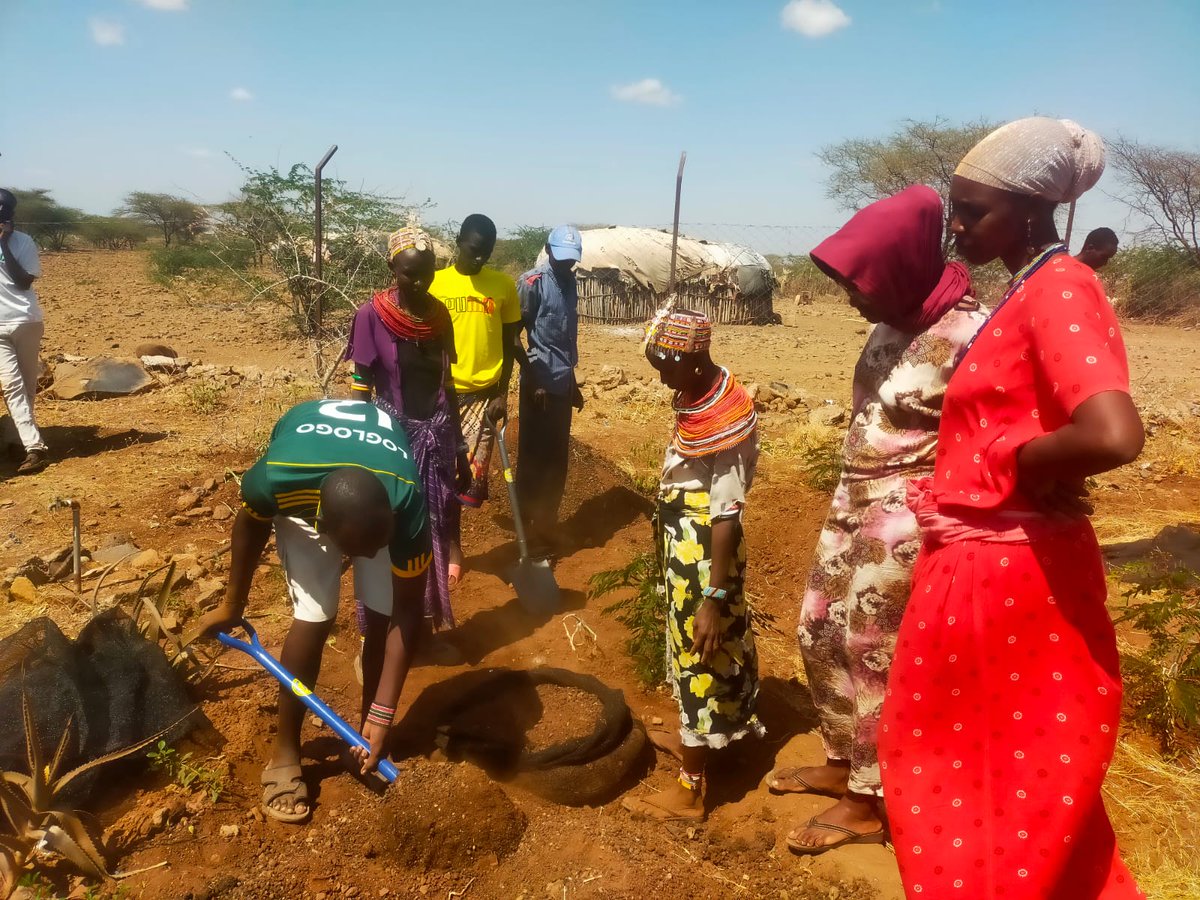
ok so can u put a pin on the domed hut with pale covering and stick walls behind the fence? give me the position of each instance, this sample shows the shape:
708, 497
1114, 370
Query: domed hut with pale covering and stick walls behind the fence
625, 273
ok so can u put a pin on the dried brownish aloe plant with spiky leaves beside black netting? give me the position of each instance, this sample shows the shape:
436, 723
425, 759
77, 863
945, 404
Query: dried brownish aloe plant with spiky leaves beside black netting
35, 821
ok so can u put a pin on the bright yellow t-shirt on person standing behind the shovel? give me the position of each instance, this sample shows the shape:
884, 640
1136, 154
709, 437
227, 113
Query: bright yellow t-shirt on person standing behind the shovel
481, 307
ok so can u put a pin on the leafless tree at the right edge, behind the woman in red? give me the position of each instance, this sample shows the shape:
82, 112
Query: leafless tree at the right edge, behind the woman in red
1163, 187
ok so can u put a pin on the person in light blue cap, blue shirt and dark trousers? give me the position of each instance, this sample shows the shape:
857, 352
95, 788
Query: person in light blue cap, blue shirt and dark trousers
549, 392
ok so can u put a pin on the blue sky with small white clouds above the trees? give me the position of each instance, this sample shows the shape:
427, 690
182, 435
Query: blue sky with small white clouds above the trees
541, 112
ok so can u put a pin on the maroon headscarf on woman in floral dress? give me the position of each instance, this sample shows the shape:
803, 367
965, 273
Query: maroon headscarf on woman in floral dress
892, 253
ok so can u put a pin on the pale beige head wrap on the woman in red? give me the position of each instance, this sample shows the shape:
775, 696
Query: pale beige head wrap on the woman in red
1055, 159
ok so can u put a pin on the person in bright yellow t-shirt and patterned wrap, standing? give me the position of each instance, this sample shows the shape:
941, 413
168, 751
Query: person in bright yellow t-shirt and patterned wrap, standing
487, 317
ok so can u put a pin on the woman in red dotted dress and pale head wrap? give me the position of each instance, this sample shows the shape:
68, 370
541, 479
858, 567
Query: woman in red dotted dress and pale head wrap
1005, 695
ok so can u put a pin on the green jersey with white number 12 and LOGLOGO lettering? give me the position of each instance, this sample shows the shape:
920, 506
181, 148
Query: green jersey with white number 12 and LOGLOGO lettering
314, 440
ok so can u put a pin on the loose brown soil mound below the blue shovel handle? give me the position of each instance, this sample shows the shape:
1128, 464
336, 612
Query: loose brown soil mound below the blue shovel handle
435, 817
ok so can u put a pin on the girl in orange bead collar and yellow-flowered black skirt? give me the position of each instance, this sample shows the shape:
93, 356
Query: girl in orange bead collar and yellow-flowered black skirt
712, 661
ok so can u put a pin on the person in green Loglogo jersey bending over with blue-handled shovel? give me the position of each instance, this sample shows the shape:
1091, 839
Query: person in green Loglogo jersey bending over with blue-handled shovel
338, 481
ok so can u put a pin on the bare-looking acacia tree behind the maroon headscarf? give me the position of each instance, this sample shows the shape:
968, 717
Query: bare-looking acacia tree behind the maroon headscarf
919, 153
